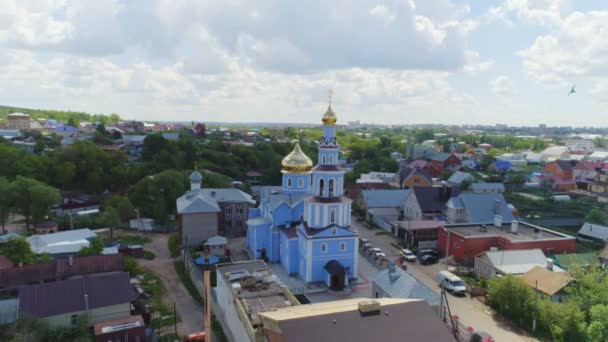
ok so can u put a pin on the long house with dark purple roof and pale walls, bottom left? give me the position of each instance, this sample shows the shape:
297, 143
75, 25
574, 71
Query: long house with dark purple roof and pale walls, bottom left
98, 297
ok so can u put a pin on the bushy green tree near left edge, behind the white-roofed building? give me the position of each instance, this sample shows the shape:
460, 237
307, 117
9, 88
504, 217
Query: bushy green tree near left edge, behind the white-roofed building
33, 199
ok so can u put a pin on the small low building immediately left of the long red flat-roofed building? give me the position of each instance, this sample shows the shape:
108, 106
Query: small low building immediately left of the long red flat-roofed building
421, 234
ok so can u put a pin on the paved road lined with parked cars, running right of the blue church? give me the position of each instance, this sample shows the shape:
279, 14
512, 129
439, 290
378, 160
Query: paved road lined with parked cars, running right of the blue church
471, 312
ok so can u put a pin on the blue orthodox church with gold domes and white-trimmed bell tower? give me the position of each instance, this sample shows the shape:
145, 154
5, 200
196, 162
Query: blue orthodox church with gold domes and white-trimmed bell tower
305, 224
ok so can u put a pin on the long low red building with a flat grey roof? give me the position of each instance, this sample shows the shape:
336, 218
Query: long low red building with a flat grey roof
464, 241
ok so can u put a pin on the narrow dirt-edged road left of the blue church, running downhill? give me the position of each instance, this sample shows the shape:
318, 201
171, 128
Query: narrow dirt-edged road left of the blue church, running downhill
190, 312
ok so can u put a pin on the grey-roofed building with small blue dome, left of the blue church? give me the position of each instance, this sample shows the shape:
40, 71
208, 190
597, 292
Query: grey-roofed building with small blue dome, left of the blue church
203, 213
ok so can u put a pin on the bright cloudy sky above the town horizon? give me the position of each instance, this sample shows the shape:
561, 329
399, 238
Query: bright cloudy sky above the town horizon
391, 61
